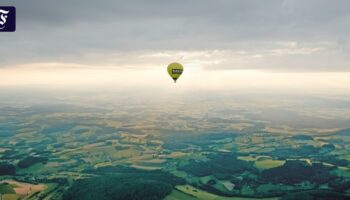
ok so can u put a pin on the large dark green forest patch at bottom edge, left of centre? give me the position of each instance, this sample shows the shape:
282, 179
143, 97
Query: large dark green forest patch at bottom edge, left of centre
120, 183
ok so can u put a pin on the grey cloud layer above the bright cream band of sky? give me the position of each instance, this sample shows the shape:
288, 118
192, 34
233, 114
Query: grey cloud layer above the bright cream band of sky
67, 30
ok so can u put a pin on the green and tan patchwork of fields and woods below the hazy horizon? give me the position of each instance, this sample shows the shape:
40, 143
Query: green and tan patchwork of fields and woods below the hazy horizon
78, 151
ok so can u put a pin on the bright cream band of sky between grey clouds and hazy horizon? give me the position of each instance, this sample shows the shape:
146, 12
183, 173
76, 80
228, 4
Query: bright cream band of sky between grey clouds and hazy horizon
153, 75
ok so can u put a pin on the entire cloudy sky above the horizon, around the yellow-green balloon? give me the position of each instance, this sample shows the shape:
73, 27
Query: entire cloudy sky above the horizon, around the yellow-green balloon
222, 43
